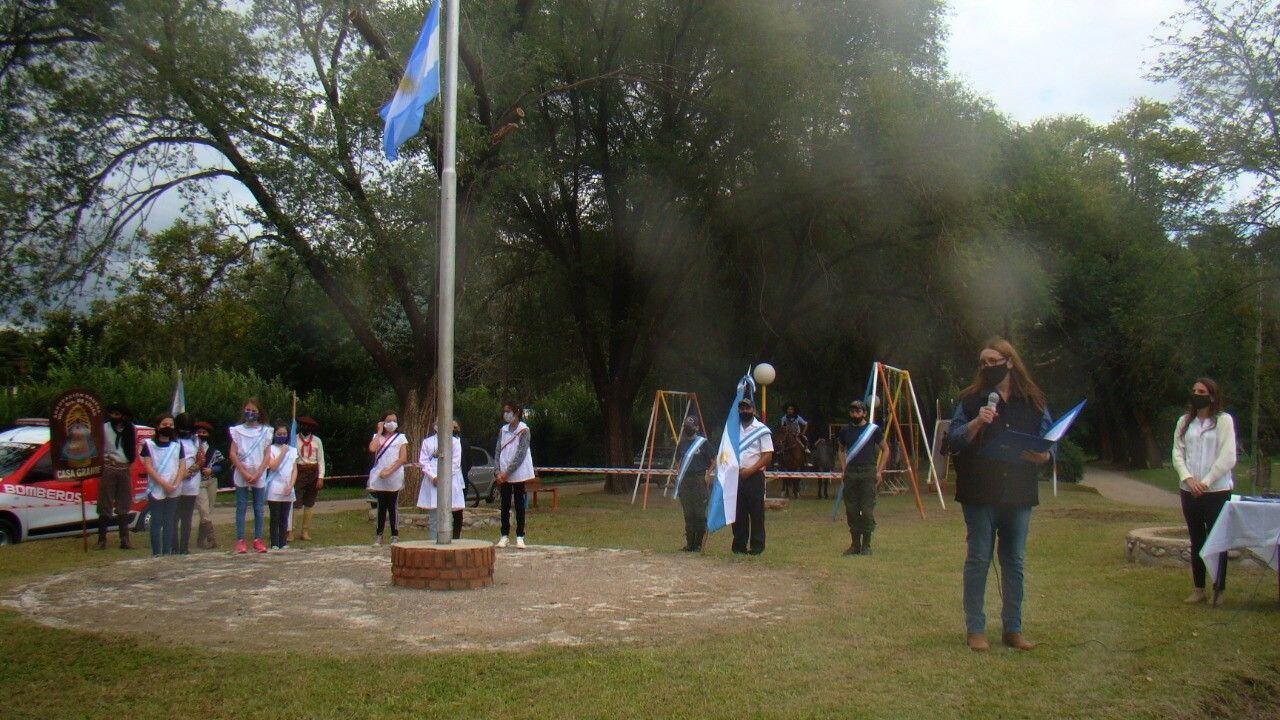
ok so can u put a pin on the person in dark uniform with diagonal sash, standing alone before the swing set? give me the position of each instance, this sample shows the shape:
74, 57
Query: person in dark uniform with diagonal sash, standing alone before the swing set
863, 475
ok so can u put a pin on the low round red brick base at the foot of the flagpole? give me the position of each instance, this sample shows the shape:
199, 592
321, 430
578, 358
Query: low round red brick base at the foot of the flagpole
461, 566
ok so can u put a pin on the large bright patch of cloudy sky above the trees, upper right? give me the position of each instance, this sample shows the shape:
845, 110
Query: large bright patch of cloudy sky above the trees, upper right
1037, 58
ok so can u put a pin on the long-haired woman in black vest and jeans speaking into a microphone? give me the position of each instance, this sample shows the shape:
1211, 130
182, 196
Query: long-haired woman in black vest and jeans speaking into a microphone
998, 496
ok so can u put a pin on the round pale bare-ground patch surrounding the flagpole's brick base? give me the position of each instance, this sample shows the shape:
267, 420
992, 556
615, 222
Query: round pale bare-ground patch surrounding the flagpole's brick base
341, 600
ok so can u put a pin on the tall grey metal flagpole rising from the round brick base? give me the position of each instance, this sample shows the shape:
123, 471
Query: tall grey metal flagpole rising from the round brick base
449, 227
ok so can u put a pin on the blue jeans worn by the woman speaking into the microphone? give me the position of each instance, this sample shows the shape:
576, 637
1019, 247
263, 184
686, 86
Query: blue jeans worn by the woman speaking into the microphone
985, 525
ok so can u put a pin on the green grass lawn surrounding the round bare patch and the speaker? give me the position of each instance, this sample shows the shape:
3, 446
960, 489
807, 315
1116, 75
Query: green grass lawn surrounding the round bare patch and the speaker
884, 639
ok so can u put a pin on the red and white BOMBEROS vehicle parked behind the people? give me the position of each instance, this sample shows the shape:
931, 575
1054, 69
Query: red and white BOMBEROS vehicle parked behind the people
34, 504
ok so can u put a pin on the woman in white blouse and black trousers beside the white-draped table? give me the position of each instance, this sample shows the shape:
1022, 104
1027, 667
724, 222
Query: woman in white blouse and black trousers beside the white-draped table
1204, 457
